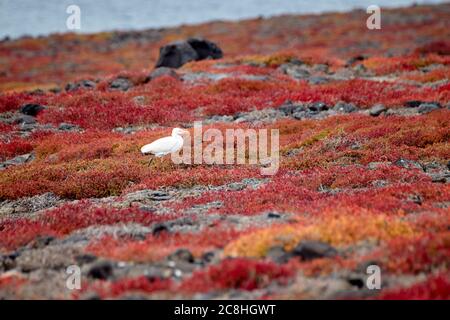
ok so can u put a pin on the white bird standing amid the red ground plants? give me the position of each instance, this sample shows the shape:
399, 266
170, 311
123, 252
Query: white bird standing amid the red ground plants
166, 145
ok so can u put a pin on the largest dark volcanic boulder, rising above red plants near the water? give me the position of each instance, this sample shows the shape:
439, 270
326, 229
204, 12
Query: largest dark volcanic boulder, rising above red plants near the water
176, 54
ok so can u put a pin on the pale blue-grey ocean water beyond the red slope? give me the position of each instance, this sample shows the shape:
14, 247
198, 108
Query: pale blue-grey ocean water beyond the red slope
32, 17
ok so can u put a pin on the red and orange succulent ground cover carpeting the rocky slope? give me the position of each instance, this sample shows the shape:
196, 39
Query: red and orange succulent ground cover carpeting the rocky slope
373, 188
